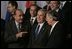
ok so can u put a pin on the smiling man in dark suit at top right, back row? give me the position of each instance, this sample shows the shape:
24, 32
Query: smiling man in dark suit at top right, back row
54, 5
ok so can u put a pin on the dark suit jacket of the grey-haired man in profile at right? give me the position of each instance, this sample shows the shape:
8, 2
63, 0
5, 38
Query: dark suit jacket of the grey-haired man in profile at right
56, 37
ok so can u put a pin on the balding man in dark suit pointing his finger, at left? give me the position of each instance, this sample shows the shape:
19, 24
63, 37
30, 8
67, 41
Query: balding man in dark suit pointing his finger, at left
16, 31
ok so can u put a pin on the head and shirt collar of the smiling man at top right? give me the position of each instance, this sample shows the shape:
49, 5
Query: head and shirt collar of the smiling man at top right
54, 5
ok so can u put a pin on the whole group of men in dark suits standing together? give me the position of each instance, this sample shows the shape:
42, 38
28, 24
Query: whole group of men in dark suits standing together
47, 27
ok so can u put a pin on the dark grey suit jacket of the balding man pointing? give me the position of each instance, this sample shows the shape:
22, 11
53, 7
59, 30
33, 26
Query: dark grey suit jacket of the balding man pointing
10, 35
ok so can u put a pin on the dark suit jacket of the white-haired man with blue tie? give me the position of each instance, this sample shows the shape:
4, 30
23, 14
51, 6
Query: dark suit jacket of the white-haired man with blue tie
41, 40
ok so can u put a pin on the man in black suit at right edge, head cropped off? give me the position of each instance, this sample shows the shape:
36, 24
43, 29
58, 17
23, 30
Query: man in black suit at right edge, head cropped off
66, 13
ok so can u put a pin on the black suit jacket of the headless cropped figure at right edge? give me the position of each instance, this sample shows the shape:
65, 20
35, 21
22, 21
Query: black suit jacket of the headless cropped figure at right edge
66, 13
